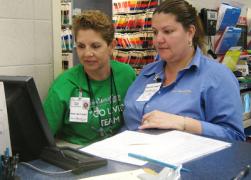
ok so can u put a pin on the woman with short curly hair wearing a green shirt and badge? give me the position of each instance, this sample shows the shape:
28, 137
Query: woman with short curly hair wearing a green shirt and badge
85, 103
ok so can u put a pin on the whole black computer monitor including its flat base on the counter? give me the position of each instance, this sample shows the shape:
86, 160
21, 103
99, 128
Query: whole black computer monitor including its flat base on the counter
30, 134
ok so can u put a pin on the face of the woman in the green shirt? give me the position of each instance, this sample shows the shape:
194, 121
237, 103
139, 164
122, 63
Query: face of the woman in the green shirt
93, 51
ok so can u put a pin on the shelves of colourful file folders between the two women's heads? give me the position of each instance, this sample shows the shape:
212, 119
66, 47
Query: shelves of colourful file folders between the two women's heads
132, 22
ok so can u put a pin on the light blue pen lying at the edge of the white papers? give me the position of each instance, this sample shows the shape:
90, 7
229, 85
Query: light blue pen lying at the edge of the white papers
144, 158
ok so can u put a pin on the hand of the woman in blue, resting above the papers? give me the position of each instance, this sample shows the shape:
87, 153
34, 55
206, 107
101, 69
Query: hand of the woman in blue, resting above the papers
162, 120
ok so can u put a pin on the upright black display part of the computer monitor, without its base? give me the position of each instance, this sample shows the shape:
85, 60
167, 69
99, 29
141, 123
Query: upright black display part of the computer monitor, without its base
29, 129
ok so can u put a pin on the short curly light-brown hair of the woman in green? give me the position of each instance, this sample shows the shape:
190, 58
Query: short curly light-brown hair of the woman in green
95, 20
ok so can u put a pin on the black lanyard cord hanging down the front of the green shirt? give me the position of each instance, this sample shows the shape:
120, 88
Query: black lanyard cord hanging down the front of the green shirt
92, 96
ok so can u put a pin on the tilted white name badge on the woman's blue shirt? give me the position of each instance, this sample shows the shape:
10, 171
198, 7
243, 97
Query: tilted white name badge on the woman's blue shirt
149, 91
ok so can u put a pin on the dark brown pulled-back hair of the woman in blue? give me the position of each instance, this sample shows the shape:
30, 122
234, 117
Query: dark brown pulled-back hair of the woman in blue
185, 14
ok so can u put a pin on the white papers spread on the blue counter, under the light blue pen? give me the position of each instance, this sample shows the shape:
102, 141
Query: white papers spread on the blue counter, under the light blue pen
171, 147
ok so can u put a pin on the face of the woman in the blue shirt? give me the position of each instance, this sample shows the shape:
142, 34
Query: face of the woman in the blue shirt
170, 38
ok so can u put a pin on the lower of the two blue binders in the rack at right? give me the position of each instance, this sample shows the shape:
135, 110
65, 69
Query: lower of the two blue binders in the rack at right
229, 38
